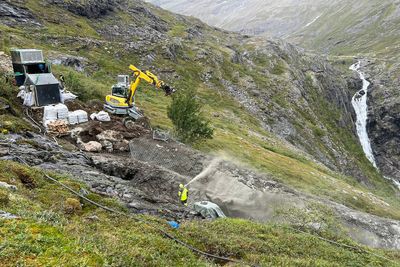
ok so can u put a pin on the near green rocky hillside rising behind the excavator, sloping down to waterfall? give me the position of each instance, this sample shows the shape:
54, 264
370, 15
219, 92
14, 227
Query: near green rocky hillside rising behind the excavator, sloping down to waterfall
273, 107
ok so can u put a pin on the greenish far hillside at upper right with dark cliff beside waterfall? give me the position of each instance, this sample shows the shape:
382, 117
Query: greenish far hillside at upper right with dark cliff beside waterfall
369, 30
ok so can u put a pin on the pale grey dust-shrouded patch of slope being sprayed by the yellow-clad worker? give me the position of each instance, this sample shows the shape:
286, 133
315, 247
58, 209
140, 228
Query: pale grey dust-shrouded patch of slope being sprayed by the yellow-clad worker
238, 196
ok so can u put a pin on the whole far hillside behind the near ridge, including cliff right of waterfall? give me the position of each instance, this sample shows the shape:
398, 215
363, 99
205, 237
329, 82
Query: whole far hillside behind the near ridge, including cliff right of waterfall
368, 29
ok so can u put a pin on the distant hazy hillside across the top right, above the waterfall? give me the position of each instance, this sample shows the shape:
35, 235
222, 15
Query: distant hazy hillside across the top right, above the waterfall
341, 26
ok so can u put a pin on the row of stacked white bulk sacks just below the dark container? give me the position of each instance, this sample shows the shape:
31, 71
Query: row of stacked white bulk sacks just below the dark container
60, 112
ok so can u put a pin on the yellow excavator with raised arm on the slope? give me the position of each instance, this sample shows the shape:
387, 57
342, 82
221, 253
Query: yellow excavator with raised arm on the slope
122, 98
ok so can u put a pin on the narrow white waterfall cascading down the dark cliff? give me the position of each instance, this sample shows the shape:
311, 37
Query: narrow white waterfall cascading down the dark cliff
360, 105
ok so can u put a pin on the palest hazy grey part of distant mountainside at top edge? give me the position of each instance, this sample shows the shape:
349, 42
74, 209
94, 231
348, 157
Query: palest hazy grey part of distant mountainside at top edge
271, 18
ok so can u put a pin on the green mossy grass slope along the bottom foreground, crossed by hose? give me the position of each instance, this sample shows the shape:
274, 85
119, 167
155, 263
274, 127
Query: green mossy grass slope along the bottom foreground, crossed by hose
58, 229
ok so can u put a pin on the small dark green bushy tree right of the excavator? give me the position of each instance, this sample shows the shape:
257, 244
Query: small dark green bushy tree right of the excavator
185, 113
